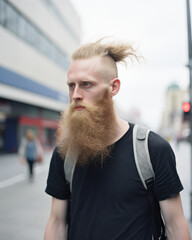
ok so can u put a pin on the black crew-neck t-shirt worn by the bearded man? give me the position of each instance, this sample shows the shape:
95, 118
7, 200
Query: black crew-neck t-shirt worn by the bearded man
108, 201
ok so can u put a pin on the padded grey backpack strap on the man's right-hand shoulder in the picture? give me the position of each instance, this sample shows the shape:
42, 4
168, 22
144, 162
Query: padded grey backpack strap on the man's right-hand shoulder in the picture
141, 154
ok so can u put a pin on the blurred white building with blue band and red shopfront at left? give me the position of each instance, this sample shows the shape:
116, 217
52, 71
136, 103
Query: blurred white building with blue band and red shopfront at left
37, 38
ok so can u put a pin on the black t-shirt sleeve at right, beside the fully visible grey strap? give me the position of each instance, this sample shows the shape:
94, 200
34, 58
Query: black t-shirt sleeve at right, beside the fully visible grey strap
167, 182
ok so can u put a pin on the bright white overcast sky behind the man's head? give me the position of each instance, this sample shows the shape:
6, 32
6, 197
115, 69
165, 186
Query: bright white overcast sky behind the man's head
158, 28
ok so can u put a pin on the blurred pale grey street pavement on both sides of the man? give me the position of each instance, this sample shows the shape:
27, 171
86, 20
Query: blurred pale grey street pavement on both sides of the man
25, 207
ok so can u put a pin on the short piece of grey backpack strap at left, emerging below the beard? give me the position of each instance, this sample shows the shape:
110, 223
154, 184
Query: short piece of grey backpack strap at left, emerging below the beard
69, 167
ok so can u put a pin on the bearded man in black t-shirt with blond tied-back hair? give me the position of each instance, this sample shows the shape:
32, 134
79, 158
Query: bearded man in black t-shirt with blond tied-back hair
108, 200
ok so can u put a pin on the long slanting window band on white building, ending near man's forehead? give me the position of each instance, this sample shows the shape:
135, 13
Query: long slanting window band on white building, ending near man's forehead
15, 22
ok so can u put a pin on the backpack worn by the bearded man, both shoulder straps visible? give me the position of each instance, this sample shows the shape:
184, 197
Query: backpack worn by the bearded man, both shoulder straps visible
145, 171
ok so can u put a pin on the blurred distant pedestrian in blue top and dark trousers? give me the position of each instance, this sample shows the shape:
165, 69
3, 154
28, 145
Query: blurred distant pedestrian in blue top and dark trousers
30, 151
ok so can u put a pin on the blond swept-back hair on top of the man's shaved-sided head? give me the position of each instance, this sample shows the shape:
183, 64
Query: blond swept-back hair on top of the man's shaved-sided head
119, 52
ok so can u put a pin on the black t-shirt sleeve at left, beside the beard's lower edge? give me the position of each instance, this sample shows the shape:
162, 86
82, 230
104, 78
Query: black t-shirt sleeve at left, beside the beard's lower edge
56, 184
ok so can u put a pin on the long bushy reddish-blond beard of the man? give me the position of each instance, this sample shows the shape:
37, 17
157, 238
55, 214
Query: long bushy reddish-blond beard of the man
89, 132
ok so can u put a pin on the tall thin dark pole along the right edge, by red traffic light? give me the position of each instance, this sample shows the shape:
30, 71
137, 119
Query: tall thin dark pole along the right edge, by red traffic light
190, 87
